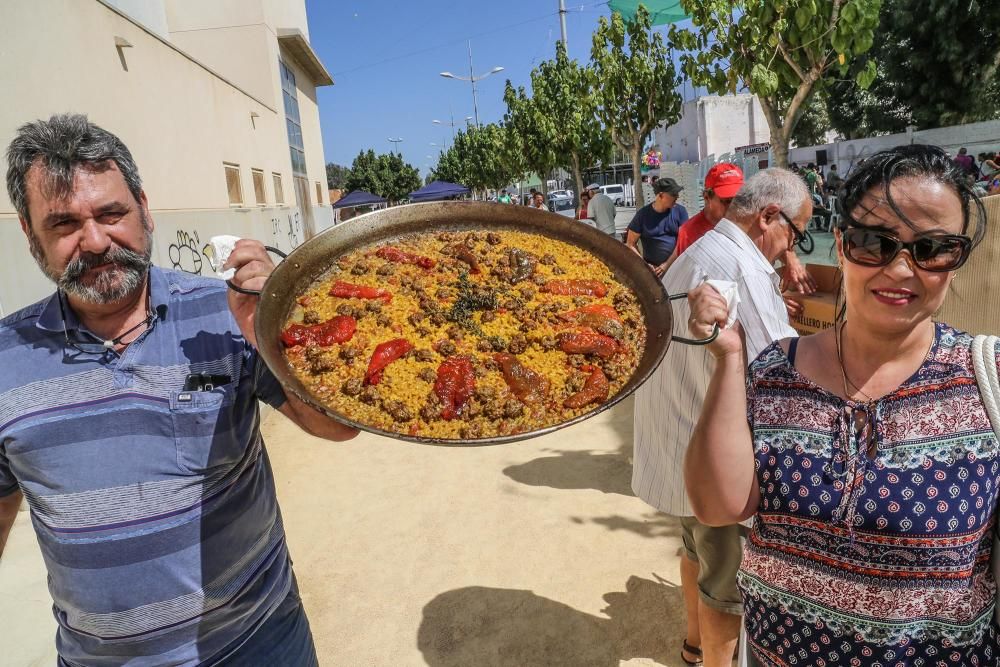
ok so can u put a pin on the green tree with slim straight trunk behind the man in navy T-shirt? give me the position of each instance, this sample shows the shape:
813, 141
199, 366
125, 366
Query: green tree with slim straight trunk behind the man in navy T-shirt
635, 84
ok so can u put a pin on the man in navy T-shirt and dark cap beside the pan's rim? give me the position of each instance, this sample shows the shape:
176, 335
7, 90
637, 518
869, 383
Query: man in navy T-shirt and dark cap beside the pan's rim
657, 225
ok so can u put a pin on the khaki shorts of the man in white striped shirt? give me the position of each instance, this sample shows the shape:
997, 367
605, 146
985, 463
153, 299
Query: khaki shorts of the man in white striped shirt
718, 552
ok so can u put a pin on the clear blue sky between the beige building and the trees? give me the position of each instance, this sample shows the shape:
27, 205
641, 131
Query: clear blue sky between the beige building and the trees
385, 57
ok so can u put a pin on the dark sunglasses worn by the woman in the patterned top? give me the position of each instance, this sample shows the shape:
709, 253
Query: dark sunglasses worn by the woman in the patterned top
871, 247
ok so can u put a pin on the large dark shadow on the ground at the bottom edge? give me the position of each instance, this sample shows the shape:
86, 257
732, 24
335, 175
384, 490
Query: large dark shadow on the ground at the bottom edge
505, 627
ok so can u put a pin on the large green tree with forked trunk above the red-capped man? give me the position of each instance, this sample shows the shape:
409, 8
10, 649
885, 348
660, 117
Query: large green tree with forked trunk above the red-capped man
780, 50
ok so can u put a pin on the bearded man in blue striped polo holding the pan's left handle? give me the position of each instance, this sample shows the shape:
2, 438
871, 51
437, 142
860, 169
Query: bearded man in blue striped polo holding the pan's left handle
129, 422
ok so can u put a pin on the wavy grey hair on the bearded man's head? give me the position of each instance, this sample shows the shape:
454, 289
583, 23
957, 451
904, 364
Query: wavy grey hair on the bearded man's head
61, 145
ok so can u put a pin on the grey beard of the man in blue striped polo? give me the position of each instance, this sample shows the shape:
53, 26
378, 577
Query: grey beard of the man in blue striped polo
112, 285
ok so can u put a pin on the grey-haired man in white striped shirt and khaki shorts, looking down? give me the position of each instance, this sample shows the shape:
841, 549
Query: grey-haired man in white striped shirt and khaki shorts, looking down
765, 219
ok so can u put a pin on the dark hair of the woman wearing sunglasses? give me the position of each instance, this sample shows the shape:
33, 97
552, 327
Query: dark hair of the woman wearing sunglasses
917, 160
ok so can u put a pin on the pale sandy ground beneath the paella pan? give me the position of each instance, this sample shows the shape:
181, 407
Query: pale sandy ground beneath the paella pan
529, 554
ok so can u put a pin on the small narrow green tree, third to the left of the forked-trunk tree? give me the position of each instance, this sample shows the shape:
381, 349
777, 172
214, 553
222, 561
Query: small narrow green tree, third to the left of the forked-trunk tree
532, 134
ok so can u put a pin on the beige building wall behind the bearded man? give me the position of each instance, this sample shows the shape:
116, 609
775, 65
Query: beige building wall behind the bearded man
180, 119
